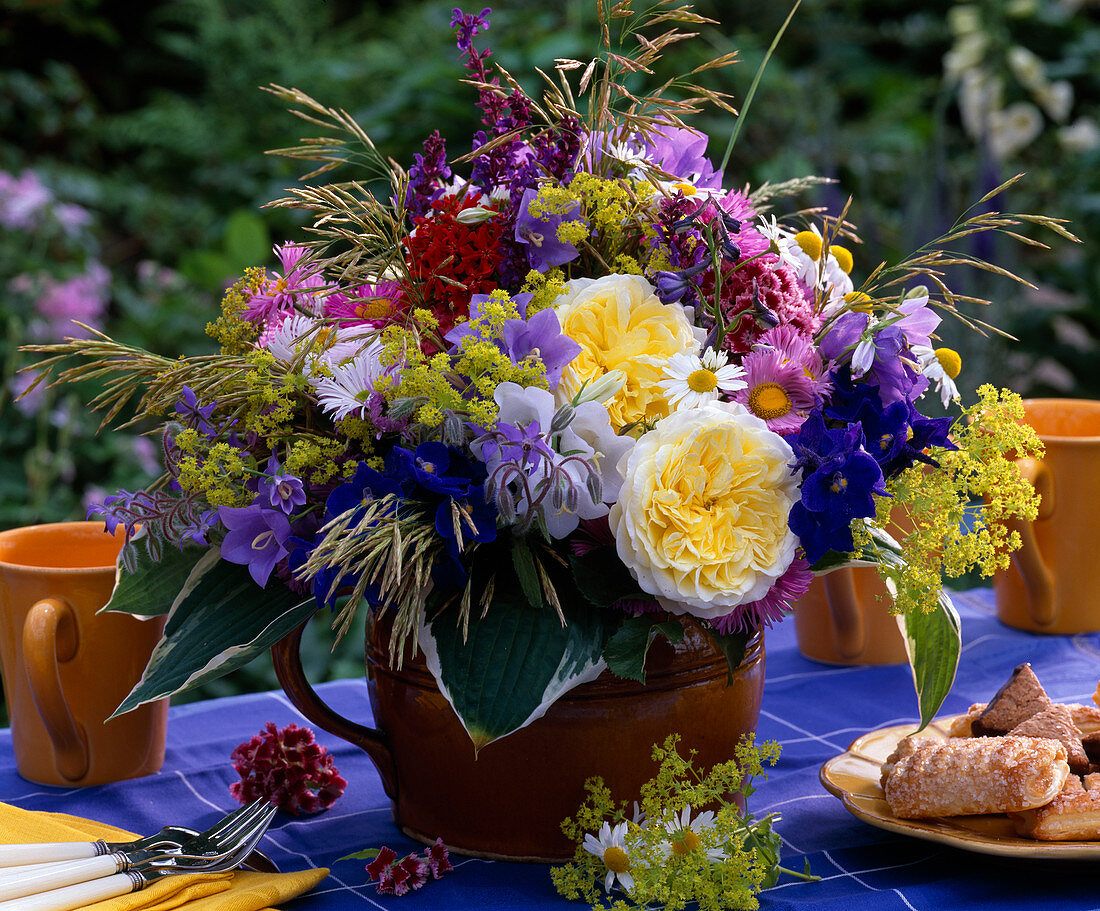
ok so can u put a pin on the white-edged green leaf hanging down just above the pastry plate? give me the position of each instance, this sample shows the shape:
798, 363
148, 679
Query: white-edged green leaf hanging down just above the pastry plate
934, 643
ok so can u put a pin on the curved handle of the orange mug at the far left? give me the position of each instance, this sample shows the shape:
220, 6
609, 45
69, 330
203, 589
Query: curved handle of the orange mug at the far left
51, 639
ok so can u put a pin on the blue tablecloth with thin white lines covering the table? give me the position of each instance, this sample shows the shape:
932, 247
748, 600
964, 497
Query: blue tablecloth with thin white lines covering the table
813, 710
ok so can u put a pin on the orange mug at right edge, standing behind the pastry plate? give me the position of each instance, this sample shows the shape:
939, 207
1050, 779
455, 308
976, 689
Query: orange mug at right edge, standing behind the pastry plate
1053, 583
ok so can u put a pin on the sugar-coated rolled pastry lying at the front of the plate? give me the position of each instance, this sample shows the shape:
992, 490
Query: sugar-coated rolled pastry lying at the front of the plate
958, 777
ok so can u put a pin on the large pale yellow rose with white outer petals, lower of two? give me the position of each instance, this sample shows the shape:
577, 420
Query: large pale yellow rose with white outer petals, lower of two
701, 520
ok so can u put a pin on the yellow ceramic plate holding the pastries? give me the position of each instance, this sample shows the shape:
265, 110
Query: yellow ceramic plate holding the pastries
854, 778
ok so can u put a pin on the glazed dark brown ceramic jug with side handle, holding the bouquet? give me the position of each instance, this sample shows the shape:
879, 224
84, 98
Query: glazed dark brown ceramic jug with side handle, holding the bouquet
510, 800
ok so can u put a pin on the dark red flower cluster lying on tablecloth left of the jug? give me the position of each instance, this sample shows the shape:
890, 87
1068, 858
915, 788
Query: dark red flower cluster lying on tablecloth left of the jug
290, 769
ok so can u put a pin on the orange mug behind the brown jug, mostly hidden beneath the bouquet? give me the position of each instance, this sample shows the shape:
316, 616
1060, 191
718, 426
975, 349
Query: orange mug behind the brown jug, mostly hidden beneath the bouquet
845, 619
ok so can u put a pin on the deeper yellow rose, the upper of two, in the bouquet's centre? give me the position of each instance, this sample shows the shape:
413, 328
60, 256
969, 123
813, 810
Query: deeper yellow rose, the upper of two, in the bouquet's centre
621, 324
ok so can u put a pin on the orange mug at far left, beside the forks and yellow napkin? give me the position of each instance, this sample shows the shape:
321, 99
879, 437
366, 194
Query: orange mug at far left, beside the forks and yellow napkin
68, 668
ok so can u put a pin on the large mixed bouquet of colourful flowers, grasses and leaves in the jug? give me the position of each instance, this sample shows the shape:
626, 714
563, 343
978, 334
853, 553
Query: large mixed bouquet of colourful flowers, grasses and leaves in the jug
553, 402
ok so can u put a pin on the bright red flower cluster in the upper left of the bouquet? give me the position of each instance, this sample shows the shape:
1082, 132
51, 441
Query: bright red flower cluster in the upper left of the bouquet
452, 260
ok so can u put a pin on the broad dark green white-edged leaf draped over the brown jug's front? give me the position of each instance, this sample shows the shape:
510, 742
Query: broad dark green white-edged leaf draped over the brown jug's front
516, 662
